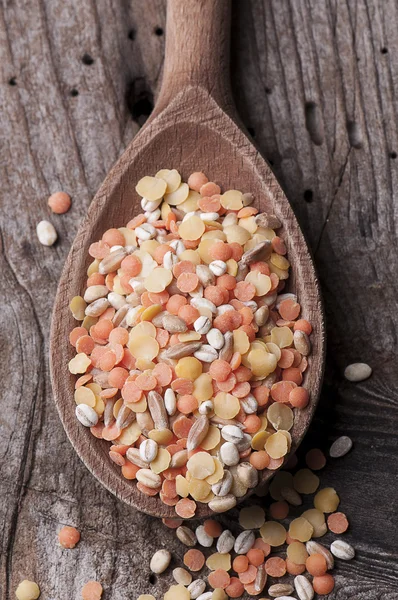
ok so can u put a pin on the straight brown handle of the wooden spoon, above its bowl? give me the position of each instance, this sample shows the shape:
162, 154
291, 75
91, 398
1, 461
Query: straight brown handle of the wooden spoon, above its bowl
197, 49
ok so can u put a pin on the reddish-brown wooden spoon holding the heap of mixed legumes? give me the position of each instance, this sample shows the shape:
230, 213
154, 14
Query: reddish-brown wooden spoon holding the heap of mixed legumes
194, 127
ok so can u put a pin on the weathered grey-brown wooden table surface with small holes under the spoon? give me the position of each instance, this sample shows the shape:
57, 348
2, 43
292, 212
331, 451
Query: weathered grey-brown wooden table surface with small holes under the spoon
316, 83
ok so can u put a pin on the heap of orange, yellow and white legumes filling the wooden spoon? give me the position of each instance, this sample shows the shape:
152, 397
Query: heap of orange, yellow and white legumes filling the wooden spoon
190, 355
